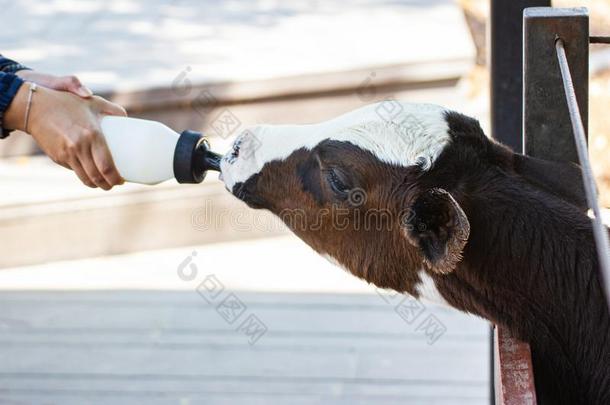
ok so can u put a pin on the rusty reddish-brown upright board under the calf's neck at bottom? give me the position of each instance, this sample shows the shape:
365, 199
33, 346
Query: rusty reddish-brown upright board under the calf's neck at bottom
514, 371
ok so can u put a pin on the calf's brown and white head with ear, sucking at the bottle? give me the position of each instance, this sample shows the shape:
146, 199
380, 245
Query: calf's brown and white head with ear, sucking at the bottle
375, 192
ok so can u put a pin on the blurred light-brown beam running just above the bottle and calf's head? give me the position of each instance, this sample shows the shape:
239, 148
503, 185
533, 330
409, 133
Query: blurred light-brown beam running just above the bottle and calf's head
207, 96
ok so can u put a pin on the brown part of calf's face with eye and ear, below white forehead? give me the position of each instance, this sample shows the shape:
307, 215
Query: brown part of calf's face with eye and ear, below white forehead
373, 218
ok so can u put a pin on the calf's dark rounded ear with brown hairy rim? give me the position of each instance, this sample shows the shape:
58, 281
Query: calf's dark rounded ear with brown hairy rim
438, 227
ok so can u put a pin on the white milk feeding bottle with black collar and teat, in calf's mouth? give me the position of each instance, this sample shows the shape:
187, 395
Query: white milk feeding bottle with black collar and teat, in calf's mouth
149, 152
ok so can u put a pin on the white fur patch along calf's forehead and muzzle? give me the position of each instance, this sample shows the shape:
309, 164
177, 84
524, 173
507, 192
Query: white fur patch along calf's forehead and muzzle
397, 133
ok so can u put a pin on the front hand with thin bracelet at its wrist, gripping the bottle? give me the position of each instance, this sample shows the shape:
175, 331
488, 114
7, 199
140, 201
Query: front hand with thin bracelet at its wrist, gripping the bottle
66, 127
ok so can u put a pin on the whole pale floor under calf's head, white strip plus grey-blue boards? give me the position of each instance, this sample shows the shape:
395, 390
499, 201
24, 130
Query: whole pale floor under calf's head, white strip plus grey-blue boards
258, 322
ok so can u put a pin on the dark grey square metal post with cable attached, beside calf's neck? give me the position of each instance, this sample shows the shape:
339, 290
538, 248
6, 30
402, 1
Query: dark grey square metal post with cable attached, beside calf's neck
547, 129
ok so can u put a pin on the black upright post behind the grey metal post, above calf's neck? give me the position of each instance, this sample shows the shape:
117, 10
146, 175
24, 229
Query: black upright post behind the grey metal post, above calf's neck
506, 62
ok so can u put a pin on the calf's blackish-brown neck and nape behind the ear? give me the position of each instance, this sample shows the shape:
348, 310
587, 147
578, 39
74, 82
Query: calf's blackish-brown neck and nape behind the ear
530, 264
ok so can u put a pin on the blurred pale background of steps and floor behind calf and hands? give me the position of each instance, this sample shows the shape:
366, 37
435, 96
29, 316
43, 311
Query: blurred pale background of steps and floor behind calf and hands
181, 295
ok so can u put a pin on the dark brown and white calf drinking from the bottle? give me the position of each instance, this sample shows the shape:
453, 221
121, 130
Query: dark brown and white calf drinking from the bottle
447, 214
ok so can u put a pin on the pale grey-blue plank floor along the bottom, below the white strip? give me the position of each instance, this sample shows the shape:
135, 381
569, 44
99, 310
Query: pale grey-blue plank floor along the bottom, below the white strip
133, 347
